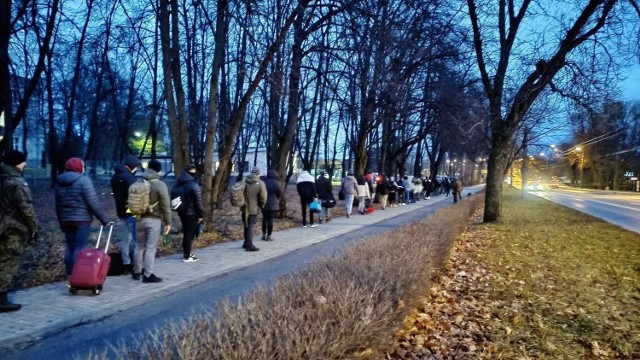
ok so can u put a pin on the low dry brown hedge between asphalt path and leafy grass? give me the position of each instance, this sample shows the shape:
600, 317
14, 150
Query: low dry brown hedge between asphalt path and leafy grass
336, 308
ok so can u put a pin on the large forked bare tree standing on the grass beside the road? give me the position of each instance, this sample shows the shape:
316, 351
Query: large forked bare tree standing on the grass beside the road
506, 114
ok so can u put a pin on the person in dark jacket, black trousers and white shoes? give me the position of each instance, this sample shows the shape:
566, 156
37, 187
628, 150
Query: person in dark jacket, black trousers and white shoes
186, 199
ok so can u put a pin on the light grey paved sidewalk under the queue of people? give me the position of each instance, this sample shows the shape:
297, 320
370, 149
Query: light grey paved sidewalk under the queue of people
50, 308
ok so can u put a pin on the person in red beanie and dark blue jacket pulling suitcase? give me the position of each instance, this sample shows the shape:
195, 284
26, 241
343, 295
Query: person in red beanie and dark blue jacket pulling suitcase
76, 204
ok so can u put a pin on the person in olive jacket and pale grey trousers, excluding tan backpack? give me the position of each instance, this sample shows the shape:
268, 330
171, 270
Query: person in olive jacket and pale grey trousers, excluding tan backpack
150, 225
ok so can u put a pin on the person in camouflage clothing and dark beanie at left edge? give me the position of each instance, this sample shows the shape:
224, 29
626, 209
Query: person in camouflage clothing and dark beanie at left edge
17, 224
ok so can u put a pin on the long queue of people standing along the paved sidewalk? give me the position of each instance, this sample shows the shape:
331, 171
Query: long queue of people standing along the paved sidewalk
76, 204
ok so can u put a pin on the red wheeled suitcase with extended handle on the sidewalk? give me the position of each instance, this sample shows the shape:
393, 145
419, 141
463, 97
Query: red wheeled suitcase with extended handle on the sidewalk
91, 267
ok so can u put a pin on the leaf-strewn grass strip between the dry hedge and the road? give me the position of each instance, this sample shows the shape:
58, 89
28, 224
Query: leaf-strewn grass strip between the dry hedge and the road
547, 282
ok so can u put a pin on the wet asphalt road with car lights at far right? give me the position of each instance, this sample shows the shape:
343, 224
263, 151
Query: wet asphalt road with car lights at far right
619, 208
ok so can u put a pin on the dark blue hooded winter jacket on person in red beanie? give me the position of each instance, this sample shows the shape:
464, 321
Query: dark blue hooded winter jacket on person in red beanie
76, 199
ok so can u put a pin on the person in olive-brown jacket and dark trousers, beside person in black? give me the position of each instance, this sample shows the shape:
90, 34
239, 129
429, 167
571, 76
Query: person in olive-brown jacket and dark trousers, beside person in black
256, 198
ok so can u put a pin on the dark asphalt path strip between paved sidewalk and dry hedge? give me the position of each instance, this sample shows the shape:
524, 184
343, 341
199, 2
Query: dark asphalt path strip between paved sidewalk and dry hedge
127, 326
